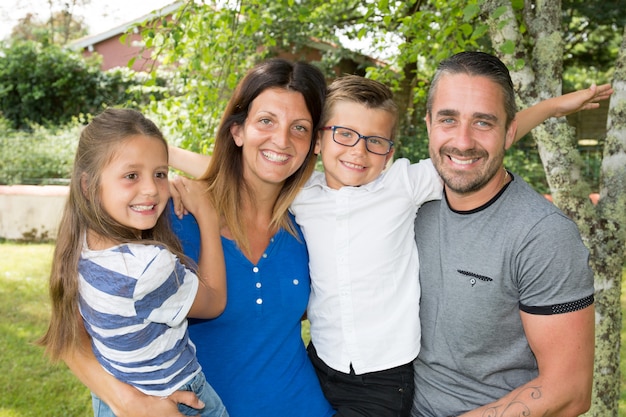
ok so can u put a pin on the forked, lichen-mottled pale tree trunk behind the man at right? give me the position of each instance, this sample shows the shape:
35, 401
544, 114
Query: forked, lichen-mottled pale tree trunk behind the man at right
602, 227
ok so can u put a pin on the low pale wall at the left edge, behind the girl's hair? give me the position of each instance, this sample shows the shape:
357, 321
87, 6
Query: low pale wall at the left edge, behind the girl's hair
31, 212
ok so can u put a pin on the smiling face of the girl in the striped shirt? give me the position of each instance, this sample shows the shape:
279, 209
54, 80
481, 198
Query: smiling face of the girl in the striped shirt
134, 187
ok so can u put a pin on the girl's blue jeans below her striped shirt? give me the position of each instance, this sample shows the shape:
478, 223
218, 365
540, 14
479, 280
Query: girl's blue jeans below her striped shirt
213, 406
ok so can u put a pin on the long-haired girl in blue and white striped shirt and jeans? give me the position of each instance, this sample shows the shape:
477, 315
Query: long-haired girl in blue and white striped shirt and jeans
119, 265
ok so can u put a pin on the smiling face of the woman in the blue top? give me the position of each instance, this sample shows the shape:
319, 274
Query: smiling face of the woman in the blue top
275, 138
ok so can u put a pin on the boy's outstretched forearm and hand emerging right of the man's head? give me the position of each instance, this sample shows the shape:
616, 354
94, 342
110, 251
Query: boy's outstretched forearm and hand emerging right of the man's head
587, 99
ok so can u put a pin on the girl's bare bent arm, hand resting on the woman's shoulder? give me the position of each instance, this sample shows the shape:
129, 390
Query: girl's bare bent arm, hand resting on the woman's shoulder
210, 299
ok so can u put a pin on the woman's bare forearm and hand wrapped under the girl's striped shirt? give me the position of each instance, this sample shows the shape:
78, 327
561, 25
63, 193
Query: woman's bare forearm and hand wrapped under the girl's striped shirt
124, 400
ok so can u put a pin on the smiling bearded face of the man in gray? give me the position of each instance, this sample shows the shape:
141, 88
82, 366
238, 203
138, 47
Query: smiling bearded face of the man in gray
468, 136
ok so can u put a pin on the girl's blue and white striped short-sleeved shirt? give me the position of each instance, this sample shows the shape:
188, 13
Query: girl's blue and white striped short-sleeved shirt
134, 300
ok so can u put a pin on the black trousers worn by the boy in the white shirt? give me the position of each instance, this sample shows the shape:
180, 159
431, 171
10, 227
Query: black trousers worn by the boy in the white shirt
387, 393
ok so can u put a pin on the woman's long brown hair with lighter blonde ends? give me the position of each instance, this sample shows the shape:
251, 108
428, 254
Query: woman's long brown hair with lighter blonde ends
227, 186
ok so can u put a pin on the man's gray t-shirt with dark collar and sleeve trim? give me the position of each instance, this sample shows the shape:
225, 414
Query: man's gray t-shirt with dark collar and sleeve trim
478, 269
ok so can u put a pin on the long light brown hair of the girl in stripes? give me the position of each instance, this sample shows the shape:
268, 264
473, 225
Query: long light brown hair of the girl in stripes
83, 211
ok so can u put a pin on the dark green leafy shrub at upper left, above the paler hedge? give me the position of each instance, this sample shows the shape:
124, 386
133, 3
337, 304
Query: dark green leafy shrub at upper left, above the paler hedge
48, 85
